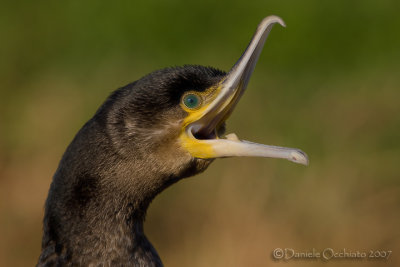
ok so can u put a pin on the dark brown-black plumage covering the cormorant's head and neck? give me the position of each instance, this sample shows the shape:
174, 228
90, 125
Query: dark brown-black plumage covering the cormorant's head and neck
116, 164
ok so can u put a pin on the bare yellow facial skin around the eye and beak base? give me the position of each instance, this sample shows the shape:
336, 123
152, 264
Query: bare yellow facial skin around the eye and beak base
198, 148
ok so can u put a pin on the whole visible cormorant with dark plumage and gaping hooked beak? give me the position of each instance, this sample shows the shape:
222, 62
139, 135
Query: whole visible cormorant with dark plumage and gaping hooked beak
145, 137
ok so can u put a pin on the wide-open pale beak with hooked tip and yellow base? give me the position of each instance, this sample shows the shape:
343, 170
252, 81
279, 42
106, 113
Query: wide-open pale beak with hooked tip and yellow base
227, 93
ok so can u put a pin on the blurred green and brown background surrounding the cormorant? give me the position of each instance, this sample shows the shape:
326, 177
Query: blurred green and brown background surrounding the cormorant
328, 84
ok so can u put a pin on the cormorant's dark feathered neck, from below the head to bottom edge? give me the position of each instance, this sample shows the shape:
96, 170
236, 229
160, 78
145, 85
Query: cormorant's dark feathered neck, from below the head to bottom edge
97, 204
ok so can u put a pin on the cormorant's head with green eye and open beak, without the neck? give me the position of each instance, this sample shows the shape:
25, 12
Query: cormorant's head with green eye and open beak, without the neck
178, 114
